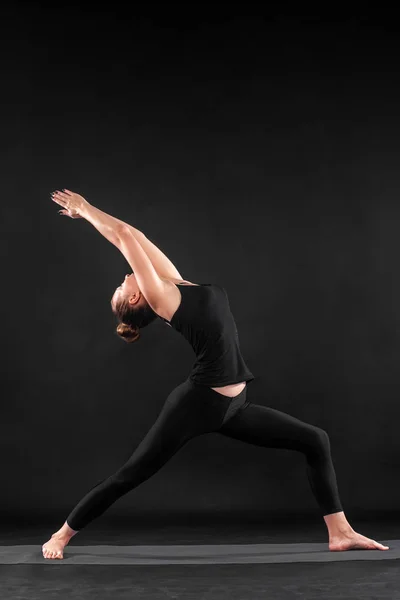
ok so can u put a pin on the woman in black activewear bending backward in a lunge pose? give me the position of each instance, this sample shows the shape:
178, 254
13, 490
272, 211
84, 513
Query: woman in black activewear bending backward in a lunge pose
213, 397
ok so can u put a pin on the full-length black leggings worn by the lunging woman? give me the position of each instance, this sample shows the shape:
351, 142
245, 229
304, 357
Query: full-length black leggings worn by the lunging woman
191, 410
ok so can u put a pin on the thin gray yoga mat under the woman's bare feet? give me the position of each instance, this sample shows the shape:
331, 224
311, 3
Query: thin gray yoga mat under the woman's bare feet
194, 555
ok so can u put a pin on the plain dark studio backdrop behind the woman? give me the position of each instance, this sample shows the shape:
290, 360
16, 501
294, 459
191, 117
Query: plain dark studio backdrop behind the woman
260, 153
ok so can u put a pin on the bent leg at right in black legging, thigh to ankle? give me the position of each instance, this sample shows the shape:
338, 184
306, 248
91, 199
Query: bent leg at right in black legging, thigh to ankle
270, 428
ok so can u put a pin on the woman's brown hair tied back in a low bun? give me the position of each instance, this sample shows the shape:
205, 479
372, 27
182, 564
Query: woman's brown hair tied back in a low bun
132, 319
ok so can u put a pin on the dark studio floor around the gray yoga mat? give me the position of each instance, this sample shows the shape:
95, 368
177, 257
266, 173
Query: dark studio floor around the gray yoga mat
346, 579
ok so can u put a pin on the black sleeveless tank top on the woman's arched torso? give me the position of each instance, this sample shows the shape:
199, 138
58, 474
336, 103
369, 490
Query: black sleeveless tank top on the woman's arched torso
205, 320
